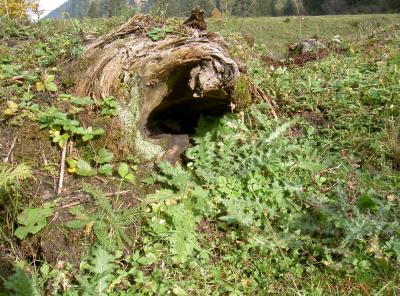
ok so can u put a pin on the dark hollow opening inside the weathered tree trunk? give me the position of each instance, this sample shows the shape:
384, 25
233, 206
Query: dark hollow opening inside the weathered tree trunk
180, 111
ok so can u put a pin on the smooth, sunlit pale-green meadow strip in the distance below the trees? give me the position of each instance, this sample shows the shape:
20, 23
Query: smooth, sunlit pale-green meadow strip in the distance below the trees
276, 34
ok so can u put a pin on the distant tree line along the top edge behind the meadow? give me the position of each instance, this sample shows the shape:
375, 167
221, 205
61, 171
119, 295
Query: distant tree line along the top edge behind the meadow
240, 8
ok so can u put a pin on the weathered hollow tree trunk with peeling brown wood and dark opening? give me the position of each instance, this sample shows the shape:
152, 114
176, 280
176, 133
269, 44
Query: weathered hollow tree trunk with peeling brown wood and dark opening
163, 86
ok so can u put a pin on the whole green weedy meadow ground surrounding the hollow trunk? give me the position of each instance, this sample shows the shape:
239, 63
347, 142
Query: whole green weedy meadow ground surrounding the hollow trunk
307, 203
